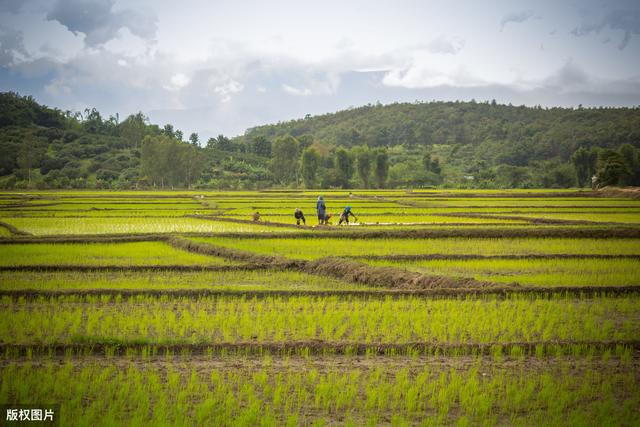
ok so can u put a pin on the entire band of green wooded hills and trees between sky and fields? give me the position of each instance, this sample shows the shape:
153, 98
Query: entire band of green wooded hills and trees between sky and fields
447, 144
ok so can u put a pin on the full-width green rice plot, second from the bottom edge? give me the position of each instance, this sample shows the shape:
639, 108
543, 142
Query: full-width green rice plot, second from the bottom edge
153, 320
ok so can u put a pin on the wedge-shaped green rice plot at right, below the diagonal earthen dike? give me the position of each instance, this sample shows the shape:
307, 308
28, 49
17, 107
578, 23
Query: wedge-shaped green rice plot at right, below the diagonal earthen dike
541, 272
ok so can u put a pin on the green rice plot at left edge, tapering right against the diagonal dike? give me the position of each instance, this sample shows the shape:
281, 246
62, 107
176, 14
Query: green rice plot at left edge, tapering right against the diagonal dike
136, 253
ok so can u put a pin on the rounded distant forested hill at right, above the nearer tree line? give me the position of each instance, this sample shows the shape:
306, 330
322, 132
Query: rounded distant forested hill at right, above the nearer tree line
537, 131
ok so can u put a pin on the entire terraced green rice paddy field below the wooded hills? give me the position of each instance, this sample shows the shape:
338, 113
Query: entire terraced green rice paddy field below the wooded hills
431, 307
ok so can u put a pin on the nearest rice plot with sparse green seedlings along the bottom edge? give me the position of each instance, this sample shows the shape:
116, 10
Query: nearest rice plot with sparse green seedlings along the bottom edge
327, 392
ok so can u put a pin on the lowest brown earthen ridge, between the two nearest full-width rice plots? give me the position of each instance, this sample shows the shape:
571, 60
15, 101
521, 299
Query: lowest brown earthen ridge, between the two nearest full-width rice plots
316, 347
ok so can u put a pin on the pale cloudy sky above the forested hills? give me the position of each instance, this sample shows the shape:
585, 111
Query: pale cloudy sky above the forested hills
220, 67
